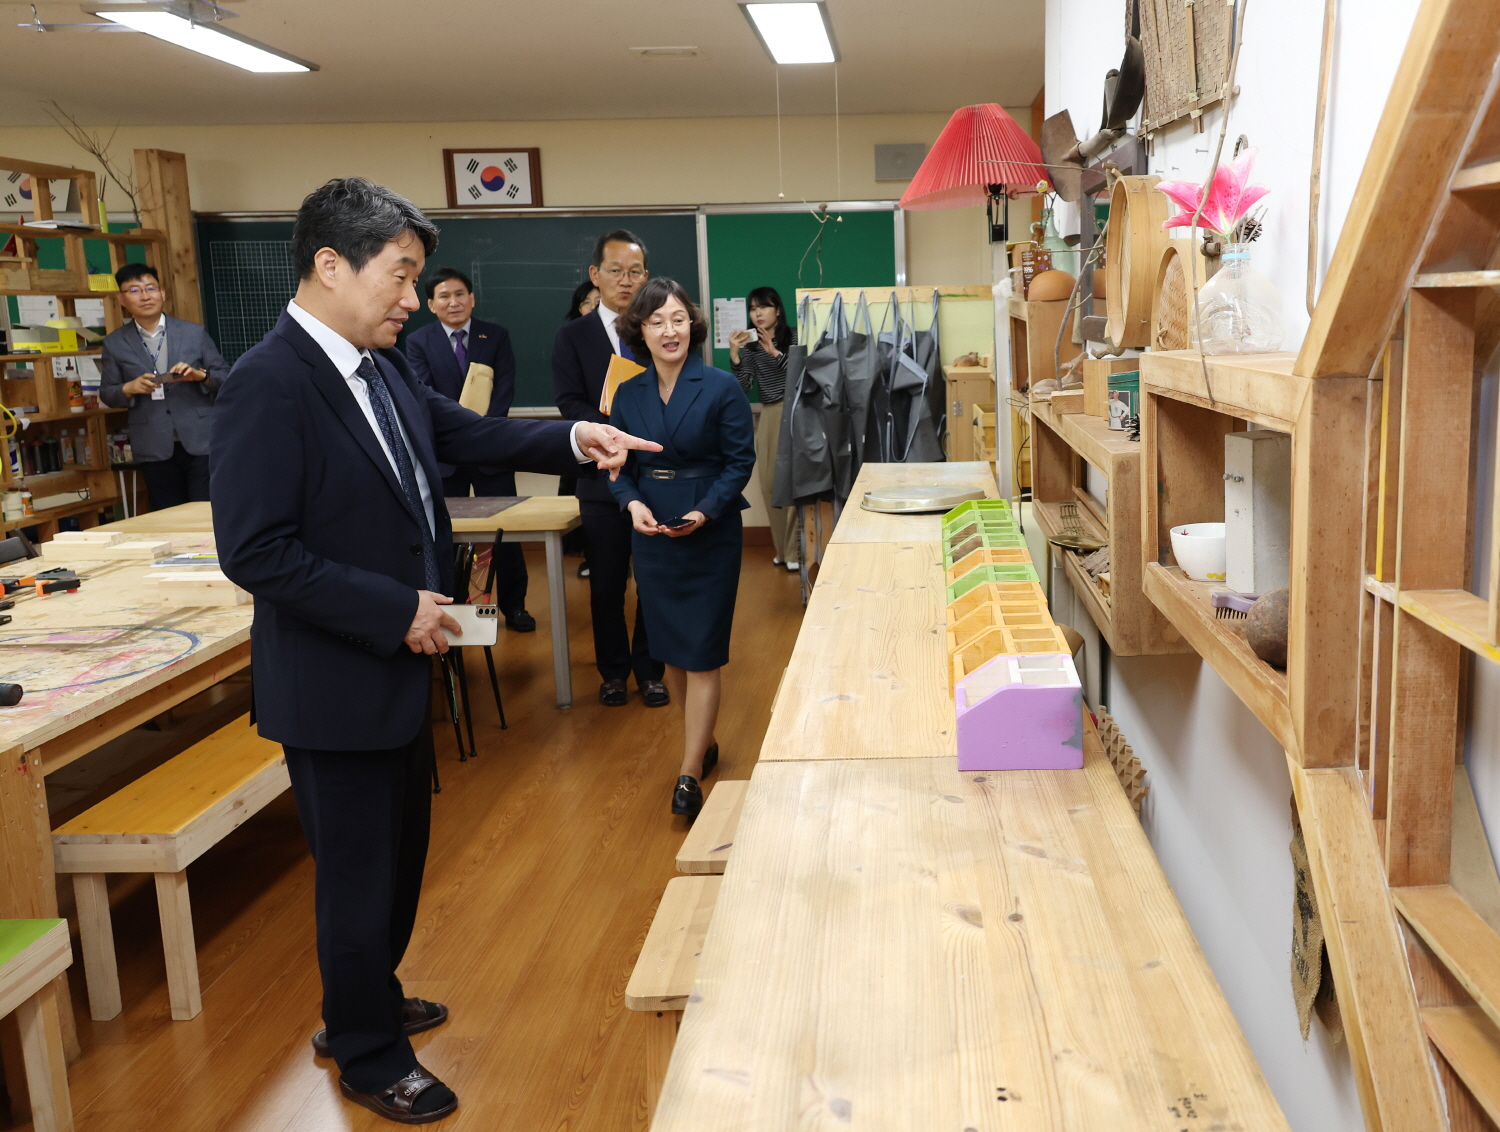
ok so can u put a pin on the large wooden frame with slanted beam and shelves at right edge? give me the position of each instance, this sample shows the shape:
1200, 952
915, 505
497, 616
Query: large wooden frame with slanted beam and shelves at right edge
1381, 404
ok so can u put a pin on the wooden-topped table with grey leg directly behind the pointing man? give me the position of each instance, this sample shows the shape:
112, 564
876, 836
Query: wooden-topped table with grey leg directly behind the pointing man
538, 520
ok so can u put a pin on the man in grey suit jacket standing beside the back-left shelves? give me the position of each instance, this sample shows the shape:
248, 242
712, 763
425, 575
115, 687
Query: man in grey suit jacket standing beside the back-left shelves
167, 373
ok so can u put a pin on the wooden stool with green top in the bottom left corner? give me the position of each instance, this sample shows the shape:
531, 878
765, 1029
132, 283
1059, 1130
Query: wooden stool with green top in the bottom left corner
32, 954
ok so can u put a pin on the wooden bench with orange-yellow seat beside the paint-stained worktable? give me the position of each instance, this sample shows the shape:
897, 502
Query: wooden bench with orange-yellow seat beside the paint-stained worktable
161, 824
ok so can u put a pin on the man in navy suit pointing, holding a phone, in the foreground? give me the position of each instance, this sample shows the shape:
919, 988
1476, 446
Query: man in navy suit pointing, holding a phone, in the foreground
326, 458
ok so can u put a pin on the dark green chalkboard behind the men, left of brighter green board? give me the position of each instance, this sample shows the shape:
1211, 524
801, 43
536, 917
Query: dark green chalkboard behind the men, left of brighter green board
524, 272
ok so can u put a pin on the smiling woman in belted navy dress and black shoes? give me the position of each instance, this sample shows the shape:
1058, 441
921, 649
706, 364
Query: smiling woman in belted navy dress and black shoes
685, 505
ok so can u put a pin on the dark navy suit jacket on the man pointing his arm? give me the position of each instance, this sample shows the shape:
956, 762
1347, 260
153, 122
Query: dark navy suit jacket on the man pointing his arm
311, 520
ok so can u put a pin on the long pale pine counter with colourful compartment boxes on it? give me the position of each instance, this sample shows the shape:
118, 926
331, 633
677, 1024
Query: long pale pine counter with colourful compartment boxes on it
904, 947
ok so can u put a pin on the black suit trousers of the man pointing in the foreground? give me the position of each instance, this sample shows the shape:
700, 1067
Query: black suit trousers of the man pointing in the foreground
367, 816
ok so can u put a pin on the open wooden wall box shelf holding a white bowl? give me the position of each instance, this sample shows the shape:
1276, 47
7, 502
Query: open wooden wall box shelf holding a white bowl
1220, 436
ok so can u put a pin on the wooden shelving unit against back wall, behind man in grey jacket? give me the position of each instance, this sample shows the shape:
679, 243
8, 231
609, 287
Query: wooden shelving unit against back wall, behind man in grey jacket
46, 391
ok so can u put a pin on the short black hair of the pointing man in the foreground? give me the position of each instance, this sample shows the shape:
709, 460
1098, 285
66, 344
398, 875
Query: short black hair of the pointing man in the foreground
356, 218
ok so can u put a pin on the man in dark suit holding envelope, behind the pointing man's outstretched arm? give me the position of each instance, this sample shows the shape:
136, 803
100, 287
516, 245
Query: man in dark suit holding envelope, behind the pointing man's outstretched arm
440, 356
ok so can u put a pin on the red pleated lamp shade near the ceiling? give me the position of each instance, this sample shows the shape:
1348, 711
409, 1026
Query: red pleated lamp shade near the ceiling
980, 146
